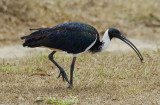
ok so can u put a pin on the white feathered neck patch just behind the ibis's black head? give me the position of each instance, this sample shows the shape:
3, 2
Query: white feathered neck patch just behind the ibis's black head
105, 40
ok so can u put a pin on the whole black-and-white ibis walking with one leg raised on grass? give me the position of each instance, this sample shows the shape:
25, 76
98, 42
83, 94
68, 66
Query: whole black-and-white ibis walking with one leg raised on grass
74, 38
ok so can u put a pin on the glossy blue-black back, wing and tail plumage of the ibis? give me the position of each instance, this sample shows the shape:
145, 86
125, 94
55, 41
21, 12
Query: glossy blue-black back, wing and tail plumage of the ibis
72, 37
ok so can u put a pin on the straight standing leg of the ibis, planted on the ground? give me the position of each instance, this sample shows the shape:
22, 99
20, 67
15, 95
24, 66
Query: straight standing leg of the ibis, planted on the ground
71, 72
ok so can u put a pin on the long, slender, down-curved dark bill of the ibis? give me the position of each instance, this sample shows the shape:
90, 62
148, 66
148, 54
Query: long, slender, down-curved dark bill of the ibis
124, 39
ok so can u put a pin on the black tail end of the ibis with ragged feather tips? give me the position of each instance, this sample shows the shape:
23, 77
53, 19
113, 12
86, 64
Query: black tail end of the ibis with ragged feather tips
35, 39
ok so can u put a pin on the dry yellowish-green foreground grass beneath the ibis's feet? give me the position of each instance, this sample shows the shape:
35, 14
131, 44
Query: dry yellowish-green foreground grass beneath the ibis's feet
98, 79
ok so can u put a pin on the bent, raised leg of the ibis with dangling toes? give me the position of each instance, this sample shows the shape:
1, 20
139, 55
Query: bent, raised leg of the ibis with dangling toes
62, 72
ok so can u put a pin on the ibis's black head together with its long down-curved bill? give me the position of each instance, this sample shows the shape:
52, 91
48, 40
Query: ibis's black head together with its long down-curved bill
115, 33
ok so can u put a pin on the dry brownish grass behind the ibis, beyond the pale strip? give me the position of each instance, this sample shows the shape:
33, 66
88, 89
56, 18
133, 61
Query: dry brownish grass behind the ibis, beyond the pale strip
102, 15
